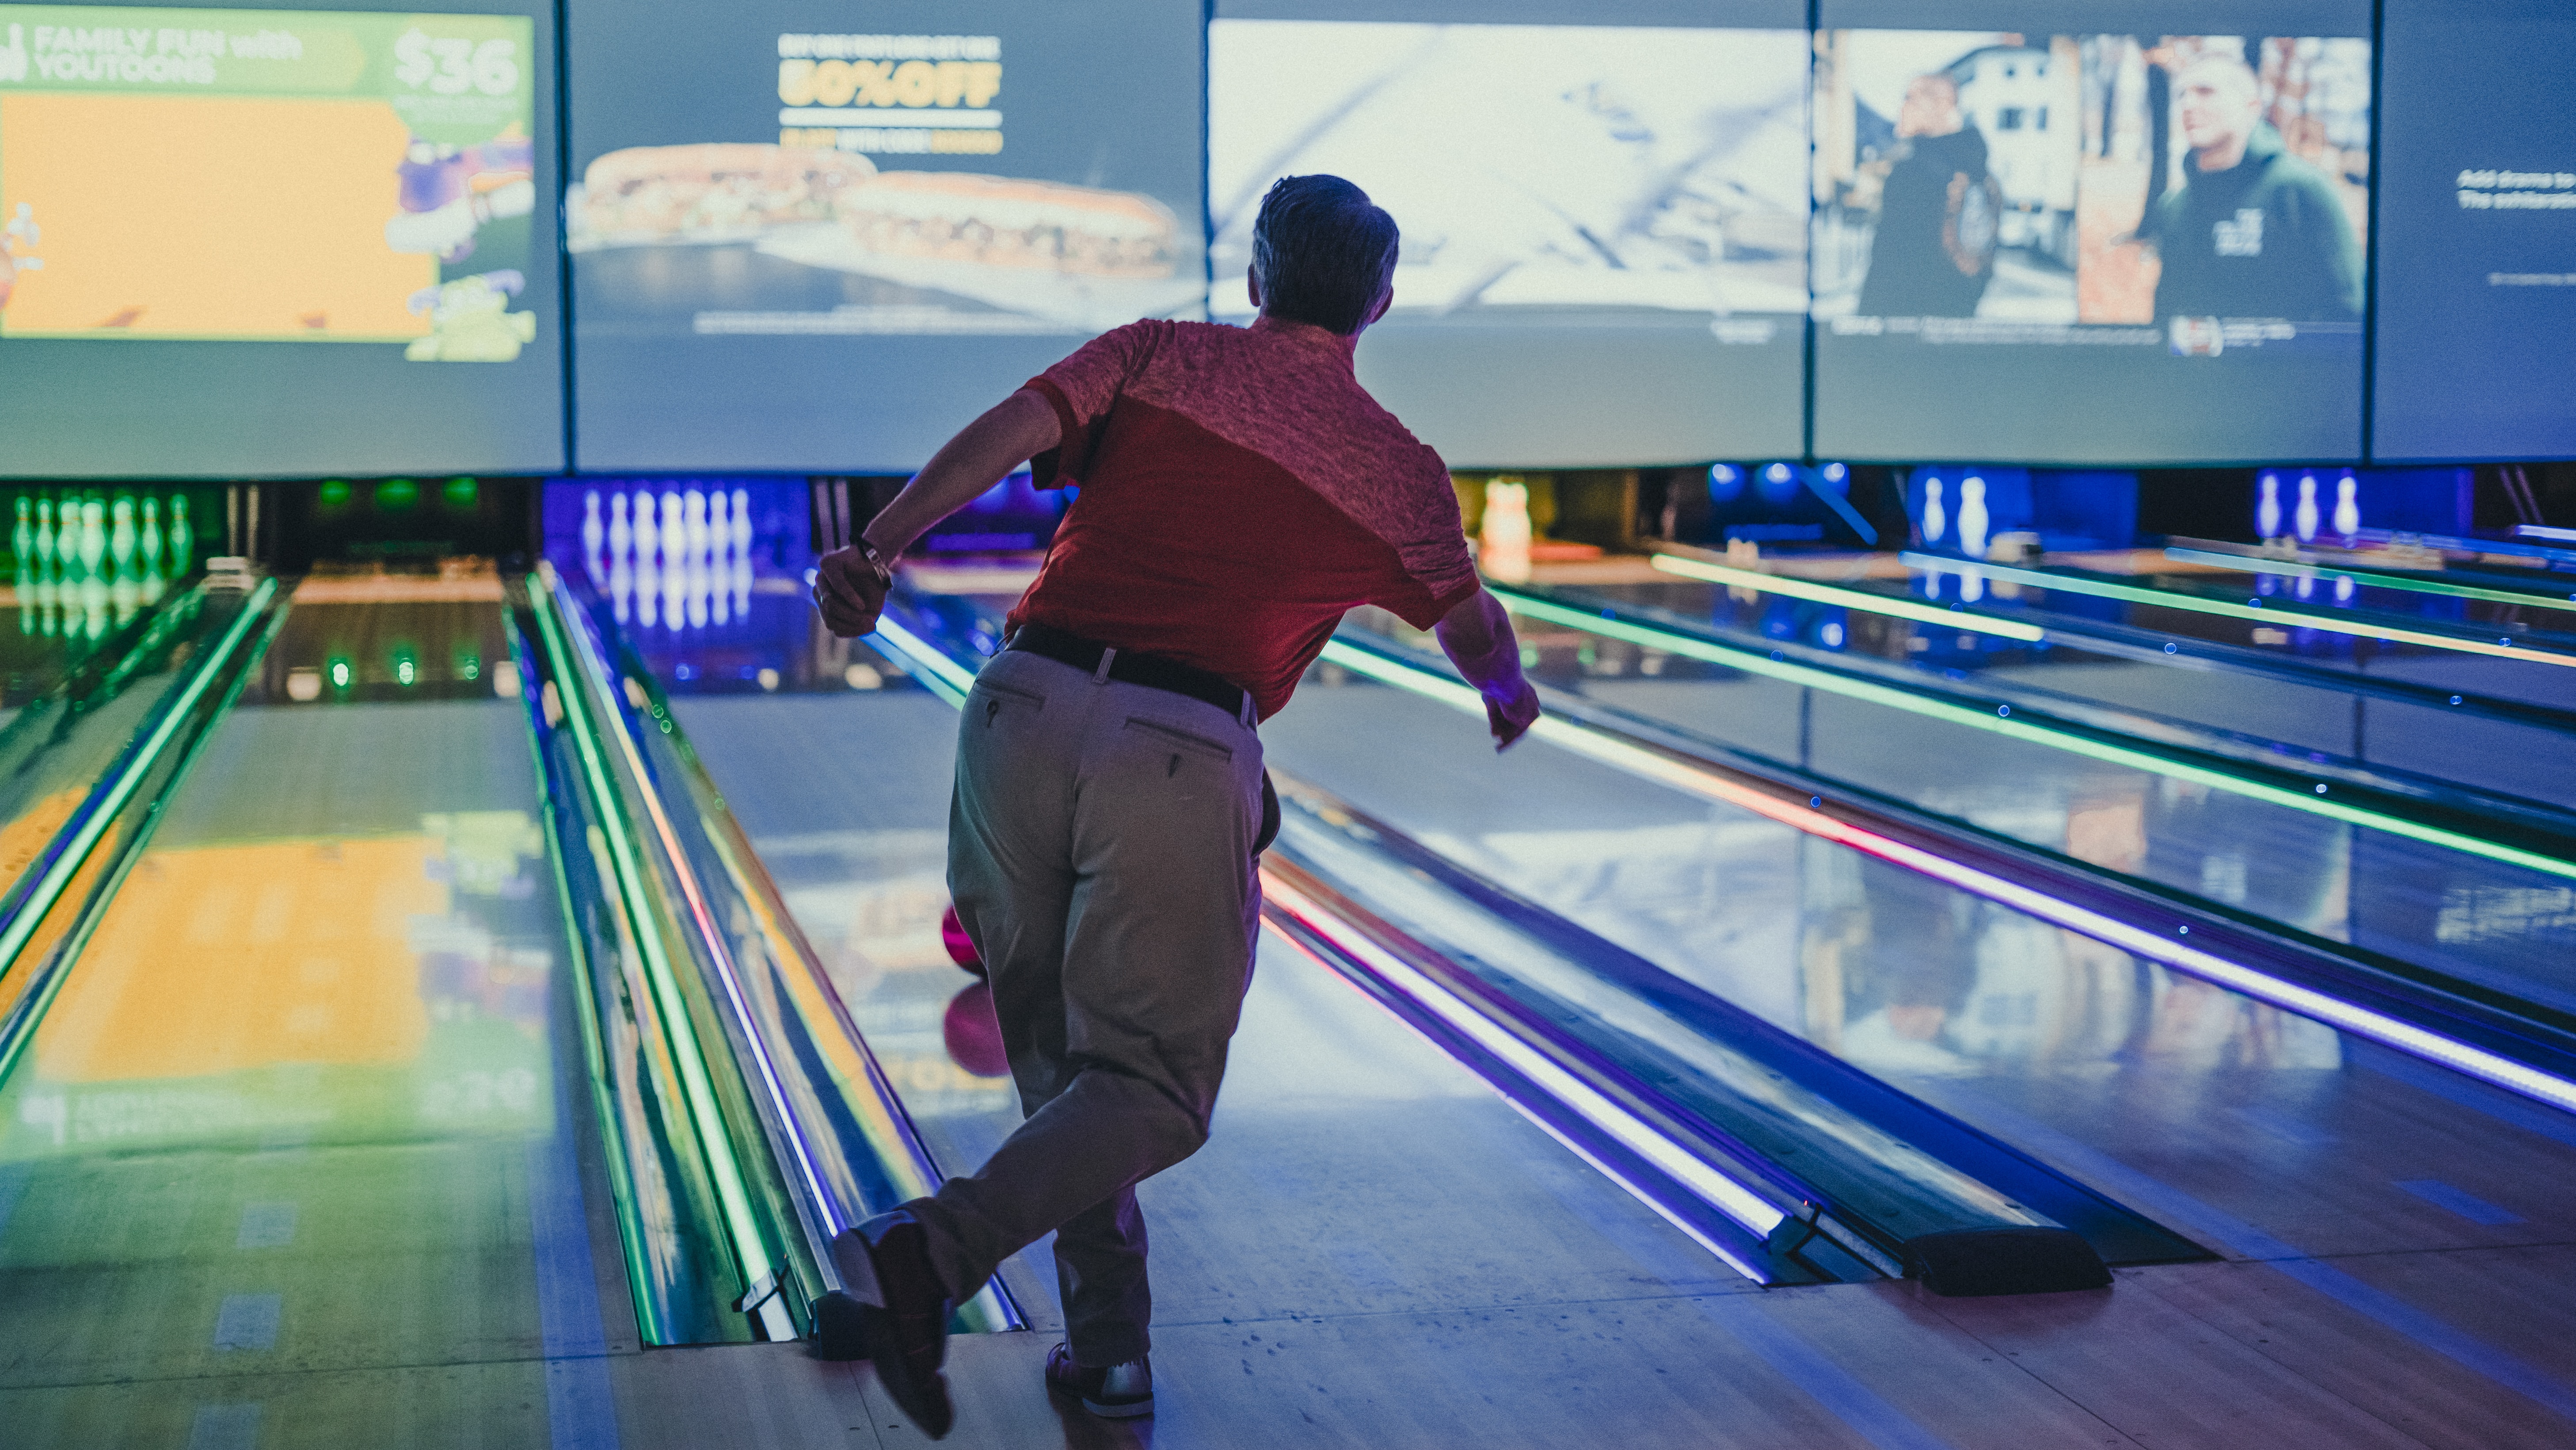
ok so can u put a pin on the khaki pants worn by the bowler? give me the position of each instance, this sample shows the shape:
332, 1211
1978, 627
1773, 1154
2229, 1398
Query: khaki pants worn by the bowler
1101, 856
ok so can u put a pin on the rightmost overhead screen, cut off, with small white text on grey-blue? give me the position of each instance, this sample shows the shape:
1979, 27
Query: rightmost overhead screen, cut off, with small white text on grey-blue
2477, 318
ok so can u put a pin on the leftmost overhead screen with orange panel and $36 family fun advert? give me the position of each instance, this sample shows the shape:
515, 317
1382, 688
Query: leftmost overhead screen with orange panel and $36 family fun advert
274, 243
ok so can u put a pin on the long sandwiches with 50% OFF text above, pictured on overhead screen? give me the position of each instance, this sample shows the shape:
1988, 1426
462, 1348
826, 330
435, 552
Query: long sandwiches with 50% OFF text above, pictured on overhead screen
833, 212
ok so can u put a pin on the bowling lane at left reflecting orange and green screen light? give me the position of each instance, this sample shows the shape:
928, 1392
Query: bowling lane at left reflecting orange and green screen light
308, 1106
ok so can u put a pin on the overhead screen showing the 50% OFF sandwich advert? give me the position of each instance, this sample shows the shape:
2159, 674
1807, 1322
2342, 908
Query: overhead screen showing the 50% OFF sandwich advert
823, 238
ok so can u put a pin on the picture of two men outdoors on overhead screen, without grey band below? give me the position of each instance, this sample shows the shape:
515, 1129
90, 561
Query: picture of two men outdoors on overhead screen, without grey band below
1982, 187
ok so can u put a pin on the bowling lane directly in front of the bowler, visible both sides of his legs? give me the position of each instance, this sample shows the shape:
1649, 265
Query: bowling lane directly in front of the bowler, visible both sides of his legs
1336, 1122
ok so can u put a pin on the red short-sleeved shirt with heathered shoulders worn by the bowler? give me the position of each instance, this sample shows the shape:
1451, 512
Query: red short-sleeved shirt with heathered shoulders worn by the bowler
1240, 493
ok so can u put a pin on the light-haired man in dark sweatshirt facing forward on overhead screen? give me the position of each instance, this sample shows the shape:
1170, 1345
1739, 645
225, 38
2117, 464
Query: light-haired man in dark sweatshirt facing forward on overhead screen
2253, 231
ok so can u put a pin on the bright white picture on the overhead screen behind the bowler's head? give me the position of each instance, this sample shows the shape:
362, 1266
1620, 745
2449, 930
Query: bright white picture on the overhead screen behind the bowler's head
1534, 169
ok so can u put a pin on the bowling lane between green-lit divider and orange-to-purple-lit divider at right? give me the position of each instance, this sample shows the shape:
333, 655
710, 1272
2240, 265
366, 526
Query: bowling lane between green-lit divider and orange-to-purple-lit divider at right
2500, 926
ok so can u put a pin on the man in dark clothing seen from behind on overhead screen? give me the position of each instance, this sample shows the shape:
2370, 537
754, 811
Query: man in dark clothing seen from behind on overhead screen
1938, 212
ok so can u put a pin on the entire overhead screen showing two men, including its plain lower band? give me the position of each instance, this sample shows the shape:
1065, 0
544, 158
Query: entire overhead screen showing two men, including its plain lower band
2060, 231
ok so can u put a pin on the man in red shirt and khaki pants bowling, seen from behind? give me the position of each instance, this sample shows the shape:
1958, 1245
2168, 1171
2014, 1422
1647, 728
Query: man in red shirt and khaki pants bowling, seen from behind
1240, 493
